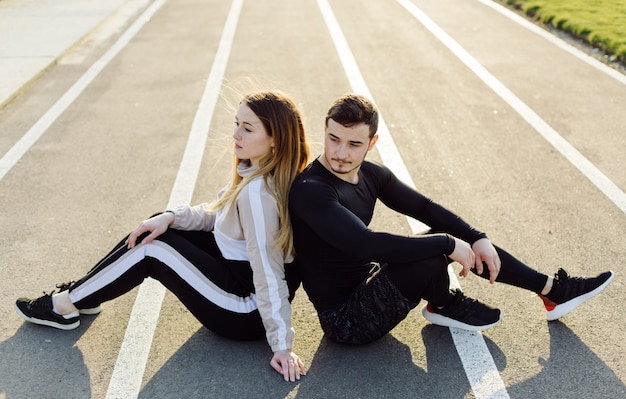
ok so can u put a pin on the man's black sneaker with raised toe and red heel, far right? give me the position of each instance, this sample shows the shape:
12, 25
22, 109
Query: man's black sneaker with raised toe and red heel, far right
568, 293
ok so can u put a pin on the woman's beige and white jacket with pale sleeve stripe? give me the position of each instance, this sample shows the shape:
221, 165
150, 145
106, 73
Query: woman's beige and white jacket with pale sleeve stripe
245, 231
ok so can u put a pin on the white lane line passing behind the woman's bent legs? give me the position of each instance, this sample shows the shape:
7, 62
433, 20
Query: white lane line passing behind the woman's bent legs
131, 361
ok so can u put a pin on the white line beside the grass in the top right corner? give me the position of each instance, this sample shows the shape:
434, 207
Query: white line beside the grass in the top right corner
562, 44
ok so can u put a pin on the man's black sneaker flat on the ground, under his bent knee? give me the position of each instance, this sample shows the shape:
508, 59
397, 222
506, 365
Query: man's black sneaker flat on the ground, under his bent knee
464, 312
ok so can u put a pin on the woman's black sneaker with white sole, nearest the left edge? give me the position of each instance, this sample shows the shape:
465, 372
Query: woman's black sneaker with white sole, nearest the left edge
39, 311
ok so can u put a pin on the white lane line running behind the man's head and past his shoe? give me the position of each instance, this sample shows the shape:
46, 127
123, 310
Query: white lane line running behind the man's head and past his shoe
479, 366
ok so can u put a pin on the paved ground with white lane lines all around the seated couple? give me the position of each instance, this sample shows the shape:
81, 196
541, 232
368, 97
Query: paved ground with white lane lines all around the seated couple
464, 112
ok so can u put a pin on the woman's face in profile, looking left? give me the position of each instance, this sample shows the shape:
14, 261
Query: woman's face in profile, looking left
251, 139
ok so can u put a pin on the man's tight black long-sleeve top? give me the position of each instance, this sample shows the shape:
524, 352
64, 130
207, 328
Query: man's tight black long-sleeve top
334, 246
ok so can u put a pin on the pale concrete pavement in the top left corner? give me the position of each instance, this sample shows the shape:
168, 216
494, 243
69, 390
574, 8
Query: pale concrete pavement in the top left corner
35, 35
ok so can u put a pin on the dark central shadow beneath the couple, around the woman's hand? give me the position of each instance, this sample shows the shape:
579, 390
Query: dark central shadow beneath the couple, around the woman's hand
211, 366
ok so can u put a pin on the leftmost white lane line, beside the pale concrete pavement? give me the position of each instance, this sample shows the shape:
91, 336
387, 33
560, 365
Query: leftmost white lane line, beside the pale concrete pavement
41, 126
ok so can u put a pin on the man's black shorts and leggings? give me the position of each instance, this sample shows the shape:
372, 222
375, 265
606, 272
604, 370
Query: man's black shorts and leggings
382, 301
